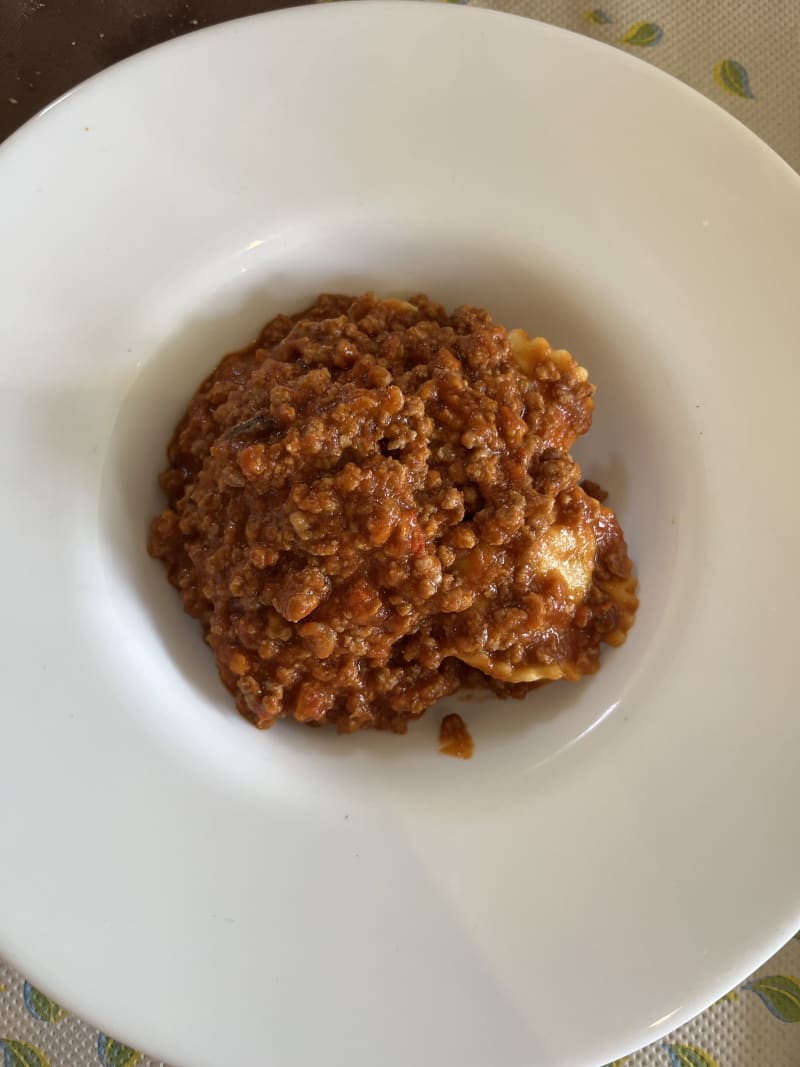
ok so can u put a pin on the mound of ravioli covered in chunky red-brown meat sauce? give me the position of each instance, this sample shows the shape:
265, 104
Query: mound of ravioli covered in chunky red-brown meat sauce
375, 505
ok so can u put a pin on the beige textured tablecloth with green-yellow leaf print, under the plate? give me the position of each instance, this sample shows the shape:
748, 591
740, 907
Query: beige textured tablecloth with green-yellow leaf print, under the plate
746, 56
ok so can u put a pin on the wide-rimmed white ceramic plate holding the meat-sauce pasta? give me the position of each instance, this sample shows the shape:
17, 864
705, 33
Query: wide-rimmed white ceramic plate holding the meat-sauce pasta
619, 852
